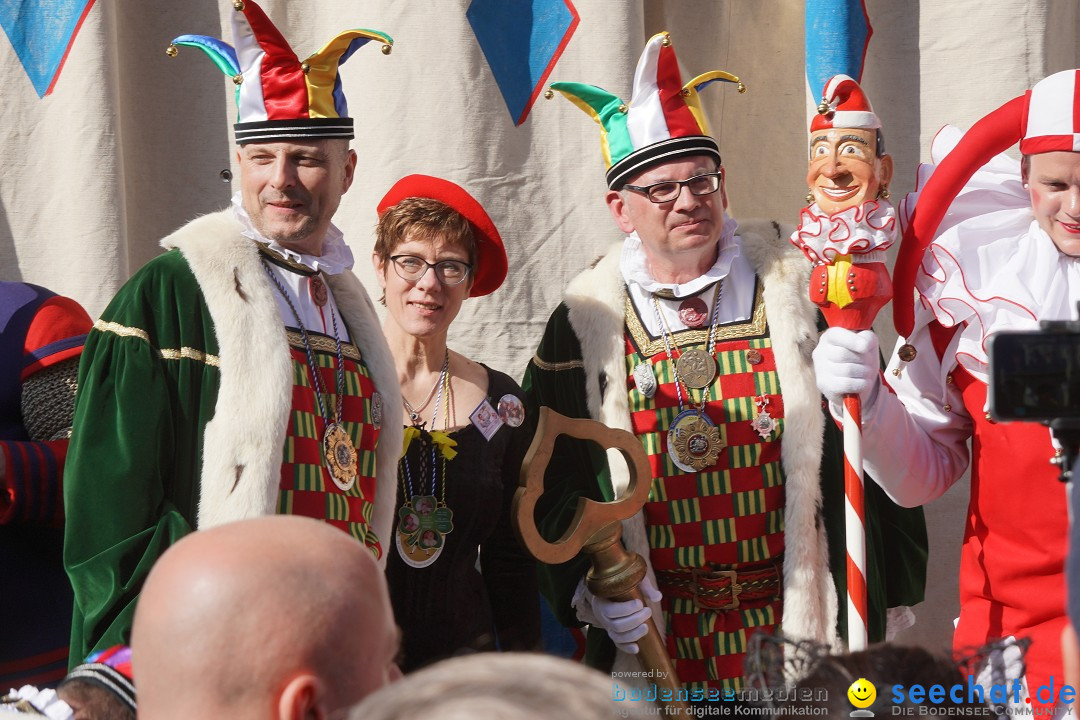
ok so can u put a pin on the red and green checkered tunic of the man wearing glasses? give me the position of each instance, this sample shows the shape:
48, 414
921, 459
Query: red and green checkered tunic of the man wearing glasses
730, 517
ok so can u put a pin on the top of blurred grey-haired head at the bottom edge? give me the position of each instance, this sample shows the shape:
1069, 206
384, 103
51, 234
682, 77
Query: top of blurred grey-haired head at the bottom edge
501, 687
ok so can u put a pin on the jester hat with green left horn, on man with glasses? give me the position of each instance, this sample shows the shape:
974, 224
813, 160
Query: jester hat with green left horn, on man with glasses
664, 121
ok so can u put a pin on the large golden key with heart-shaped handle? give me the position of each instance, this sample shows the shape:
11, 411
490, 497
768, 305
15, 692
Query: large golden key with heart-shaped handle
597, 529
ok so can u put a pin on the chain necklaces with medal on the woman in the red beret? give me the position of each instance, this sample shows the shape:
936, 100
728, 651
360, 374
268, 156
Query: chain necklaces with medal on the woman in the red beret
423, 520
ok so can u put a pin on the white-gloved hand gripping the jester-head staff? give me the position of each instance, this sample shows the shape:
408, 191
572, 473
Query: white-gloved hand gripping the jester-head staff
846, 363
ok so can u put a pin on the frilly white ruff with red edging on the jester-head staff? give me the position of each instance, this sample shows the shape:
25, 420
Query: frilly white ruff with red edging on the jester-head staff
870, 228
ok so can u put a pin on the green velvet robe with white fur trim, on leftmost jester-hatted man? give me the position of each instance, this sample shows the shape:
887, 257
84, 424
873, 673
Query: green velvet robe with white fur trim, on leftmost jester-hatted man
185, 392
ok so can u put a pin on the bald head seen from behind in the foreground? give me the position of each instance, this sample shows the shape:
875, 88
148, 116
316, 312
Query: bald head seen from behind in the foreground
273, 618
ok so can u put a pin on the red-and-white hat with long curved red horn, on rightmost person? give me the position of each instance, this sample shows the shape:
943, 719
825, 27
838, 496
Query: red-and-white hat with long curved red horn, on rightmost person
1045, 119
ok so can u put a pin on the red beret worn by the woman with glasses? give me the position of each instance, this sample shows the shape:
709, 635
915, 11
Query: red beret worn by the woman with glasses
491, 255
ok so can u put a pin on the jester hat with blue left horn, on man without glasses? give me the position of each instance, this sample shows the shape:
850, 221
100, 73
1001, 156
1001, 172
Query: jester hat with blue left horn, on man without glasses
280, 98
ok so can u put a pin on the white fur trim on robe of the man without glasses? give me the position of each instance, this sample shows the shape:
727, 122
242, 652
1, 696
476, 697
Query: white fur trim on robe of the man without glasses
242, 445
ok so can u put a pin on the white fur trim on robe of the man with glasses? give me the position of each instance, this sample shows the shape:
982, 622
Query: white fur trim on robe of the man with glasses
596, 303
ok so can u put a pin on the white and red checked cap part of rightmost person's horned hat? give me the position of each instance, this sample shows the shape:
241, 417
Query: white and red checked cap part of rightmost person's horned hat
1052, 120
